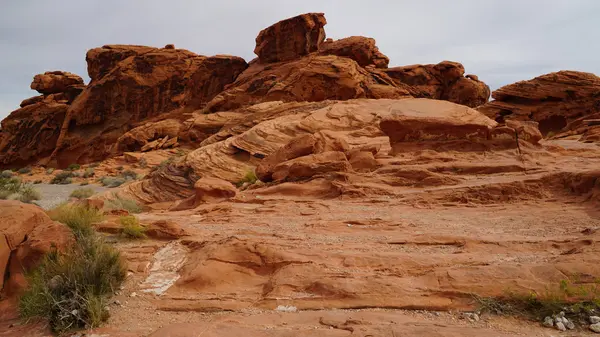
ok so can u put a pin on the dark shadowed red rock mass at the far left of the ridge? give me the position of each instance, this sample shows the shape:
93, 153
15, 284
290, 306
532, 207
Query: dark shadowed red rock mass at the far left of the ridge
129, 84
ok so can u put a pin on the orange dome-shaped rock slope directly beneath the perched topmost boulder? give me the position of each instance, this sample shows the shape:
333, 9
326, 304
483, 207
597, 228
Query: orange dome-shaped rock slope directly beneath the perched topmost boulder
312, 78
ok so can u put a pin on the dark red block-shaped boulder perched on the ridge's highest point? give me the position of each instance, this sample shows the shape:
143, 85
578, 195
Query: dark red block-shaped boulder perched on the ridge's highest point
291, 38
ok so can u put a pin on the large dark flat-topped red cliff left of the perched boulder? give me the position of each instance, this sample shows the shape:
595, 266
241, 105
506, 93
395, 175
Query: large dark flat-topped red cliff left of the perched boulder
145, 82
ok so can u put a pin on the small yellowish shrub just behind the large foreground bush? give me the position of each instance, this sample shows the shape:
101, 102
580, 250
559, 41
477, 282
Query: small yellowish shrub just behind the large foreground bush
78, 217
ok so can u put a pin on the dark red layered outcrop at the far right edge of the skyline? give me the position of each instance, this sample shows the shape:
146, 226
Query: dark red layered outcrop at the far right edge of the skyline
557, 101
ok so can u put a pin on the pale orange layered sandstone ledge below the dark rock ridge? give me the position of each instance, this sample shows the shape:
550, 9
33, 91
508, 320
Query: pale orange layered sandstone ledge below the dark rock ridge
286, 146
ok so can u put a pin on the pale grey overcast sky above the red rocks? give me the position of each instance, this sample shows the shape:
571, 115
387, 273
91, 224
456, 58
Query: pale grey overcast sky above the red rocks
501, 41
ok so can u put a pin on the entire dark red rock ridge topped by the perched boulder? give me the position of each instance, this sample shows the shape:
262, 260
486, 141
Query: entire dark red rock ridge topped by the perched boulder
139, 96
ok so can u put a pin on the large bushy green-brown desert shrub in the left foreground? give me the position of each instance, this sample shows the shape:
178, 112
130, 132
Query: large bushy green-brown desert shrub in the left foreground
72, 288
